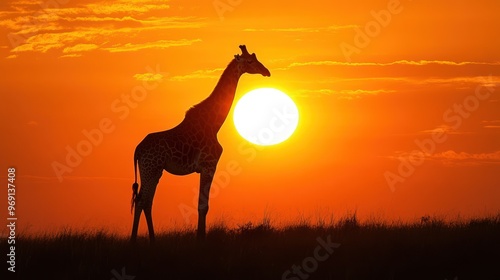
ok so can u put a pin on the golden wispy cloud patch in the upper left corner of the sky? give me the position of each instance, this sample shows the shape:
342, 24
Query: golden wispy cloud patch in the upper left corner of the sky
75, 30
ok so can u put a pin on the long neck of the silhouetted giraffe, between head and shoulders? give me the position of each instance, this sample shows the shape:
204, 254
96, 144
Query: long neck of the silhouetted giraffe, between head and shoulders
213, 111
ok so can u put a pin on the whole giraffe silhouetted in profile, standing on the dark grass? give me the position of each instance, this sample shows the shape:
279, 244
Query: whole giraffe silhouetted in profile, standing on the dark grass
191, 146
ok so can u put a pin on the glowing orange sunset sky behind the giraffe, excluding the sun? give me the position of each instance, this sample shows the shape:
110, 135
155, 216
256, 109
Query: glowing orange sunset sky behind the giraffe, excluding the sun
398, 101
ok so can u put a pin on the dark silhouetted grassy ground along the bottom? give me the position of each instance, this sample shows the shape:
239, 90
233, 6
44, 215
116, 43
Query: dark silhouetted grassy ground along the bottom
429, 249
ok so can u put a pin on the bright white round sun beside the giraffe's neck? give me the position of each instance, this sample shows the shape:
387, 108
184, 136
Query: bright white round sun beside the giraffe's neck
265, 116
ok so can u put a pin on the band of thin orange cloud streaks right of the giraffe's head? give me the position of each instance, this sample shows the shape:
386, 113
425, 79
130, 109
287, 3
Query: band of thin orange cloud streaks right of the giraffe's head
399, 74
